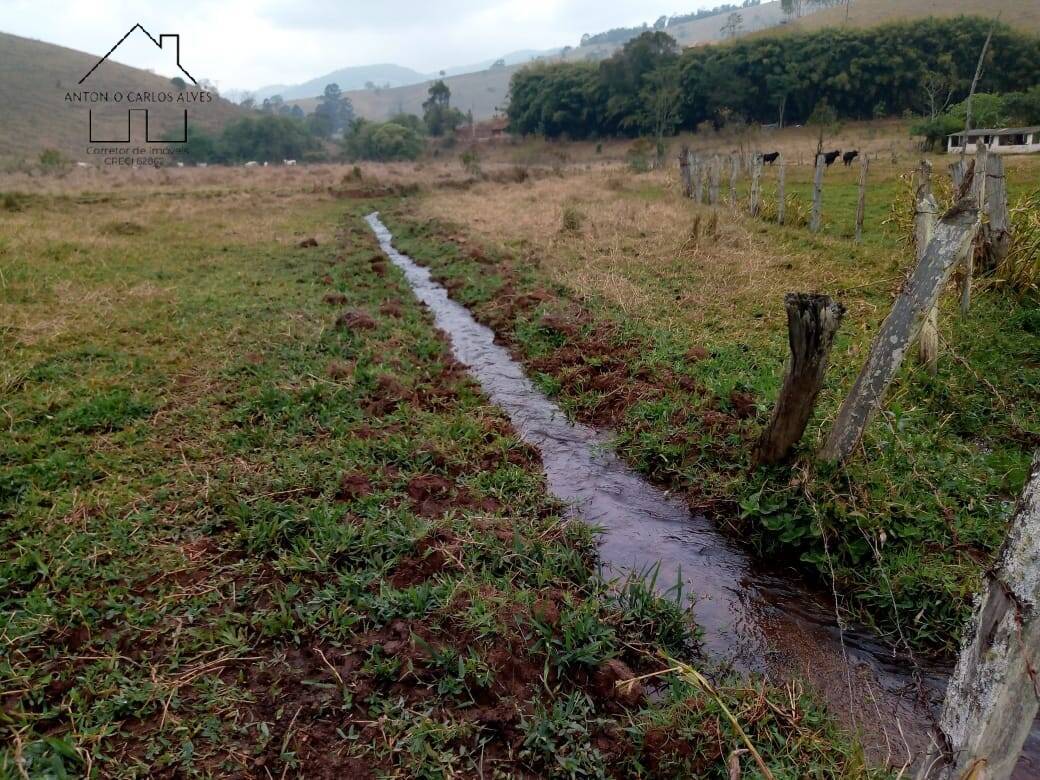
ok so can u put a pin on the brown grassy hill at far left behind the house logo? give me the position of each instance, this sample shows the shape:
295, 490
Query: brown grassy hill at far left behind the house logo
35, 79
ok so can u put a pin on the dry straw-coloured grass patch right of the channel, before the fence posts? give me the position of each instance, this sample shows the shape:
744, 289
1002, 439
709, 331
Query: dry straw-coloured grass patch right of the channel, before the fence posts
643, 249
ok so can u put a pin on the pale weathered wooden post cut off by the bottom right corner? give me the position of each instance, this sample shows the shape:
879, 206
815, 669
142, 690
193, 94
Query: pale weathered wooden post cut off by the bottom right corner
993, 697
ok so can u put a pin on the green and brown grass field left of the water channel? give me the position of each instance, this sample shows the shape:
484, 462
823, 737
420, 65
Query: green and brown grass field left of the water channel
258, 524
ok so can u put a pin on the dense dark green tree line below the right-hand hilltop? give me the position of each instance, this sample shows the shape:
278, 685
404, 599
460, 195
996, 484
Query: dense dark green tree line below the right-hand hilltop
652, 88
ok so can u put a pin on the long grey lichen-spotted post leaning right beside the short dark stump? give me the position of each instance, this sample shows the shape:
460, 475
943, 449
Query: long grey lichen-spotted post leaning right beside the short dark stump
949, 246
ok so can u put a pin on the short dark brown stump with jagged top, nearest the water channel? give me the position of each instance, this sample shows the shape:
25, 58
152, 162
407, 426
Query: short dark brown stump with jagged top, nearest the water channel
813, 322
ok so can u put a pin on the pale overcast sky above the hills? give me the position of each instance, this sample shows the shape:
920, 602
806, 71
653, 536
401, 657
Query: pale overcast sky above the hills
247, 44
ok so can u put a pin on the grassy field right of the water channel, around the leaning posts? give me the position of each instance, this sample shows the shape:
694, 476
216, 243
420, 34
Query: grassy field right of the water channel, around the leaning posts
631, 308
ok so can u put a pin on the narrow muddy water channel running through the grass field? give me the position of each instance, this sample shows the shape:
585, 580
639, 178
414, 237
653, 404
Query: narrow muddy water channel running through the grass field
755, 619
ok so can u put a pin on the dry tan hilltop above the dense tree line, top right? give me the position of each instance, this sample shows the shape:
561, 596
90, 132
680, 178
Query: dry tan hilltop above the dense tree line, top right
1021, 15
